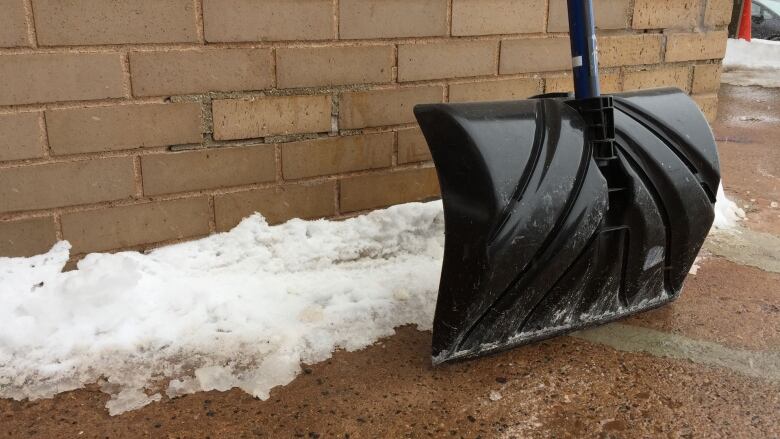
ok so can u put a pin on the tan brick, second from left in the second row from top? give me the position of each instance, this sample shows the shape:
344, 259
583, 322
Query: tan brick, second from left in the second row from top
200, 71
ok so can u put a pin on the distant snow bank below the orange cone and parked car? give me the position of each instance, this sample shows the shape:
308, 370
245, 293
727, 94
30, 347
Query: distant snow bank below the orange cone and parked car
752, 63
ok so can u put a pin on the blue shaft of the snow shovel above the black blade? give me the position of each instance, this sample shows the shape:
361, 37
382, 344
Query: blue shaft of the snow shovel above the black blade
585, 63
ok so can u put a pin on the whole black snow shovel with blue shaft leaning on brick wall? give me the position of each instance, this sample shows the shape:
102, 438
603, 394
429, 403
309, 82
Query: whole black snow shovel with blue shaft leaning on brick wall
565, 212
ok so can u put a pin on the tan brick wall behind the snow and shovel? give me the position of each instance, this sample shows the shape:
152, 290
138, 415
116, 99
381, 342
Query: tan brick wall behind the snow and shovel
127, 124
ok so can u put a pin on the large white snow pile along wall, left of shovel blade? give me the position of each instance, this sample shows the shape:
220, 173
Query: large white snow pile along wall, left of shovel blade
239, 309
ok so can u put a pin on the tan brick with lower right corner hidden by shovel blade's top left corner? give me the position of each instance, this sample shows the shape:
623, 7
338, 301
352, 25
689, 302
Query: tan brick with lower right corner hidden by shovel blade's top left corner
384, 107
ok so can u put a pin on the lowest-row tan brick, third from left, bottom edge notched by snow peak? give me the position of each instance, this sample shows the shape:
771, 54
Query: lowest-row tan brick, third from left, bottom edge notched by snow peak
277, 204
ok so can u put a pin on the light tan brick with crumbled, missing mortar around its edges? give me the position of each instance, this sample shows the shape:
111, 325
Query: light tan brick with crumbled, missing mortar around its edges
269, 116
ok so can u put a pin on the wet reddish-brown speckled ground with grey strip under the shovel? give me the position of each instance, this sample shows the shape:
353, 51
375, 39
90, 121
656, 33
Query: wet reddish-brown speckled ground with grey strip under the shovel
705, 366
